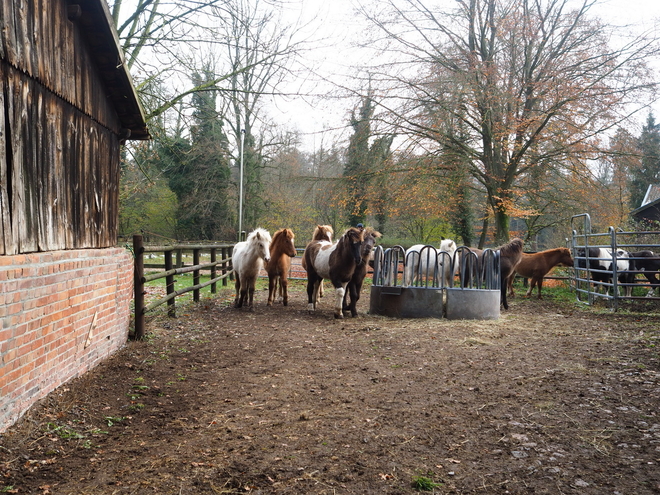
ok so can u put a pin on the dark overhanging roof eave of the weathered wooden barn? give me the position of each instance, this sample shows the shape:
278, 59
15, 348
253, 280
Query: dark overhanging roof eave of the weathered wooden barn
97, 26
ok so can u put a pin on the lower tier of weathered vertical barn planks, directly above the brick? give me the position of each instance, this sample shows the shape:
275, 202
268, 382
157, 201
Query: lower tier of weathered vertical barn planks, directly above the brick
59, 172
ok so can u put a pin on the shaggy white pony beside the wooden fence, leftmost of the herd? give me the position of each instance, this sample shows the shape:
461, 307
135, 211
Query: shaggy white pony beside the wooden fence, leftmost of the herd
248, 259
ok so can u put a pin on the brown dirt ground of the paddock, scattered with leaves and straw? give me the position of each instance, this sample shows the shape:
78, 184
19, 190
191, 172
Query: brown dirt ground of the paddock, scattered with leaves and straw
551, 398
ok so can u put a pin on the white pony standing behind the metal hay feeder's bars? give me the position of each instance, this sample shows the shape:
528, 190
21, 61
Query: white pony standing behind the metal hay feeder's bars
421, 260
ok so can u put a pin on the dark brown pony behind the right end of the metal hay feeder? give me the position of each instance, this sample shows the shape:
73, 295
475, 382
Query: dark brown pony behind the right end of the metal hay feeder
510, 255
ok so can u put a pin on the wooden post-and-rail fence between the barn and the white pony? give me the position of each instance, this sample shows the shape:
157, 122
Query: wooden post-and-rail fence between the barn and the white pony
171, 269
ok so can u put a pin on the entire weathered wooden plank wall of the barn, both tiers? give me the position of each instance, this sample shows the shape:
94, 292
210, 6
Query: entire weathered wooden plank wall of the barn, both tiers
59, 150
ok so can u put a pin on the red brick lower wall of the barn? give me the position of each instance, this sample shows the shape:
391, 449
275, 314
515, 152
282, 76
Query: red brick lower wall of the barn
61, 313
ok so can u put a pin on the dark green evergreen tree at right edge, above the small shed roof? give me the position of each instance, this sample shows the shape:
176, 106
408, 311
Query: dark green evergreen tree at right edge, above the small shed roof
648, 172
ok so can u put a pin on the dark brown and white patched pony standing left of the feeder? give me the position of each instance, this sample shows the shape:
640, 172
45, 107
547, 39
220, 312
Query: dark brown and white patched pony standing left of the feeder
336, 262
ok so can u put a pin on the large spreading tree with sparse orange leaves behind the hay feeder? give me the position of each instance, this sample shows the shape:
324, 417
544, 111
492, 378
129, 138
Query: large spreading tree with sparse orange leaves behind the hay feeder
518, 75
